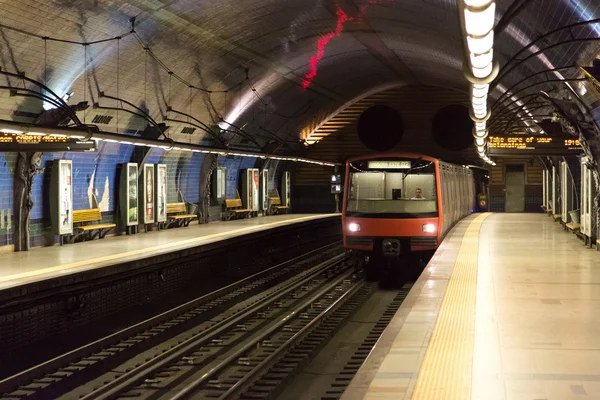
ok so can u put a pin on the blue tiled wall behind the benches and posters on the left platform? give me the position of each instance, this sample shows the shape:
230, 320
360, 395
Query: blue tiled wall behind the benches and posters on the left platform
97, 173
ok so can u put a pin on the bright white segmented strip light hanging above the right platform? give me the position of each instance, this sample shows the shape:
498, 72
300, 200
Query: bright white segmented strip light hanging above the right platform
477, 18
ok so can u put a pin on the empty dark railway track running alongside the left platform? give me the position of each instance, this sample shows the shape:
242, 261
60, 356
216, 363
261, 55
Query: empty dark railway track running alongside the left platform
208, 316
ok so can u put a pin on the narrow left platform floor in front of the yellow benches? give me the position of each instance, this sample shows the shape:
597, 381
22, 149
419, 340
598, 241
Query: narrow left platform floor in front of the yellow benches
46, 263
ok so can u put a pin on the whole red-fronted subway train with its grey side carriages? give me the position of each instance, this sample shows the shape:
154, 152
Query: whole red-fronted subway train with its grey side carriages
398, 207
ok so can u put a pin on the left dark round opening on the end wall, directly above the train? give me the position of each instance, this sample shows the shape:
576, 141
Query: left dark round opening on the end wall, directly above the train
380, 127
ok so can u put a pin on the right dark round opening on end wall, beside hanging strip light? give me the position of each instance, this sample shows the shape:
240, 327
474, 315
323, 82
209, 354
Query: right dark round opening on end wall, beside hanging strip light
452, 127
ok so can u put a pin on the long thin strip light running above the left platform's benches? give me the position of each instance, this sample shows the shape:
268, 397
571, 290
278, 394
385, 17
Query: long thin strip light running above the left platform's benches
17, 128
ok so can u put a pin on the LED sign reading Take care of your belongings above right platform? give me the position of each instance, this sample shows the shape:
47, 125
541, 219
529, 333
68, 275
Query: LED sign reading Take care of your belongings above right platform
509, 145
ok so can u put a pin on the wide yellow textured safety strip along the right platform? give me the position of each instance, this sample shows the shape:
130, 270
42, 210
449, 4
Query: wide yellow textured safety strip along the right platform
446, 370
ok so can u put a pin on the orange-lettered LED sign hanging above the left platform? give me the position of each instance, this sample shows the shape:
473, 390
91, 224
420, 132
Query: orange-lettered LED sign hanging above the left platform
10, 142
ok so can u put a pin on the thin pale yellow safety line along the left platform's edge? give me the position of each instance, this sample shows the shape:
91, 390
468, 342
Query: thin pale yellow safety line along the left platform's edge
42, 271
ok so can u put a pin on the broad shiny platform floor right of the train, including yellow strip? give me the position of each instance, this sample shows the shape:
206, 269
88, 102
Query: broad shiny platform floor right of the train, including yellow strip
508, 308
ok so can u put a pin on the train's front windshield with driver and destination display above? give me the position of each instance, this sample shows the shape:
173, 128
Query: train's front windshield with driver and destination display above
393, 188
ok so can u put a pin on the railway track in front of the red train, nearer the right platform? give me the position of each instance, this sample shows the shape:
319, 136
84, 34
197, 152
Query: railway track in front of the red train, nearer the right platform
251, 353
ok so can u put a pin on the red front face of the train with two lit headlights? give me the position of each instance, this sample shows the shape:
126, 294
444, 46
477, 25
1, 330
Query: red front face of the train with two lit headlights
391, 208
